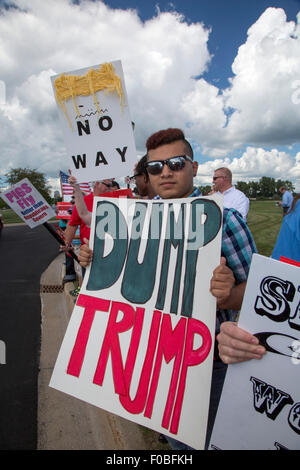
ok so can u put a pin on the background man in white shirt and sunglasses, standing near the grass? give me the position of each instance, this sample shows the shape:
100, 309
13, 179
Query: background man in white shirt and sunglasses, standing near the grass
233, 198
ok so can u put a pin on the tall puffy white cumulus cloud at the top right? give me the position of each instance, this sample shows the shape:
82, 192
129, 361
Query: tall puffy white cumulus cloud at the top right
265, 69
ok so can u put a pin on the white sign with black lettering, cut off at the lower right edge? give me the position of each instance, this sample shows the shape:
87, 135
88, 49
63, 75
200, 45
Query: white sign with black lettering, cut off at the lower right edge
260, 403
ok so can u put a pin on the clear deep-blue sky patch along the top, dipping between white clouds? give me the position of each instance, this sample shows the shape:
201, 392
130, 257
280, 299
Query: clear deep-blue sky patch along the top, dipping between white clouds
229, 21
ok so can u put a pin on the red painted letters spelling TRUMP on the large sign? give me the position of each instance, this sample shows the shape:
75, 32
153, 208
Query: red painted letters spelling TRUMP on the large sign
164, 342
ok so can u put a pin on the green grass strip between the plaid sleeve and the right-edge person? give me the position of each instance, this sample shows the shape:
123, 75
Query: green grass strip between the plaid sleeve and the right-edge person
264, 221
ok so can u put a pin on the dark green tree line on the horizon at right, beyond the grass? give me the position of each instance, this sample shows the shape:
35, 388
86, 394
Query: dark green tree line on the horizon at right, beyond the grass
266, 187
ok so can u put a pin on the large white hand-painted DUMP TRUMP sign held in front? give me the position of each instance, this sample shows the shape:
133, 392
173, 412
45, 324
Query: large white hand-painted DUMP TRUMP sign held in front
140, 340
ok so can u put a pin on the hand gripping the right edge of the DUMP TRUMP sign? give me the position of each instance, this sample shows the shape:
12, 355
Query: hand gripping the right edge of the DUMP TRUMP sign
222, 282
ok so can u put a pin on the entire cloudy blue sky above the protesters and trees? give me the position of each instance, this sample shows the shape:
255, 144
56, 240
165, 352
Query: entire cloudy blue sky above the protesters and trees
226, 72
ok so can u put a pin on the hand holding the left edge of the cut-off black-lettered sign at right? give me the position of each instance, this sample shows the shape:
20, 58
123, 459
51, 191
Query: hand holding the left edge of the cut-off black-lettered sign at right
237, 345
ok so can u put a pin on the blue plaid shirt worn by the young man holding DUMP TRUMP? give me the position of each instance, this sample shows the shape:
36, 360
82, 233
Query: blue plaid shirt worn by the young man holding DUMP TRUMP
237, 247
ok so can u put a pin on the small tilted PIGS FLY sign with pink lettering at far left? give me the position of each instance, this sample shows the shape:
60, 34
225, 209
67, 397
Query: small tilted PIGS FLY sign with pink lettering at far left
28, 203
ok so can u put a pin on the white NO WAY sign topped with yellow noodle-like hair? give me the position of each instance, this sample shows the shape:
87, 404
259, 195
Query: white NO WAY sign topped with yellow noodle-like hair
95, 120
